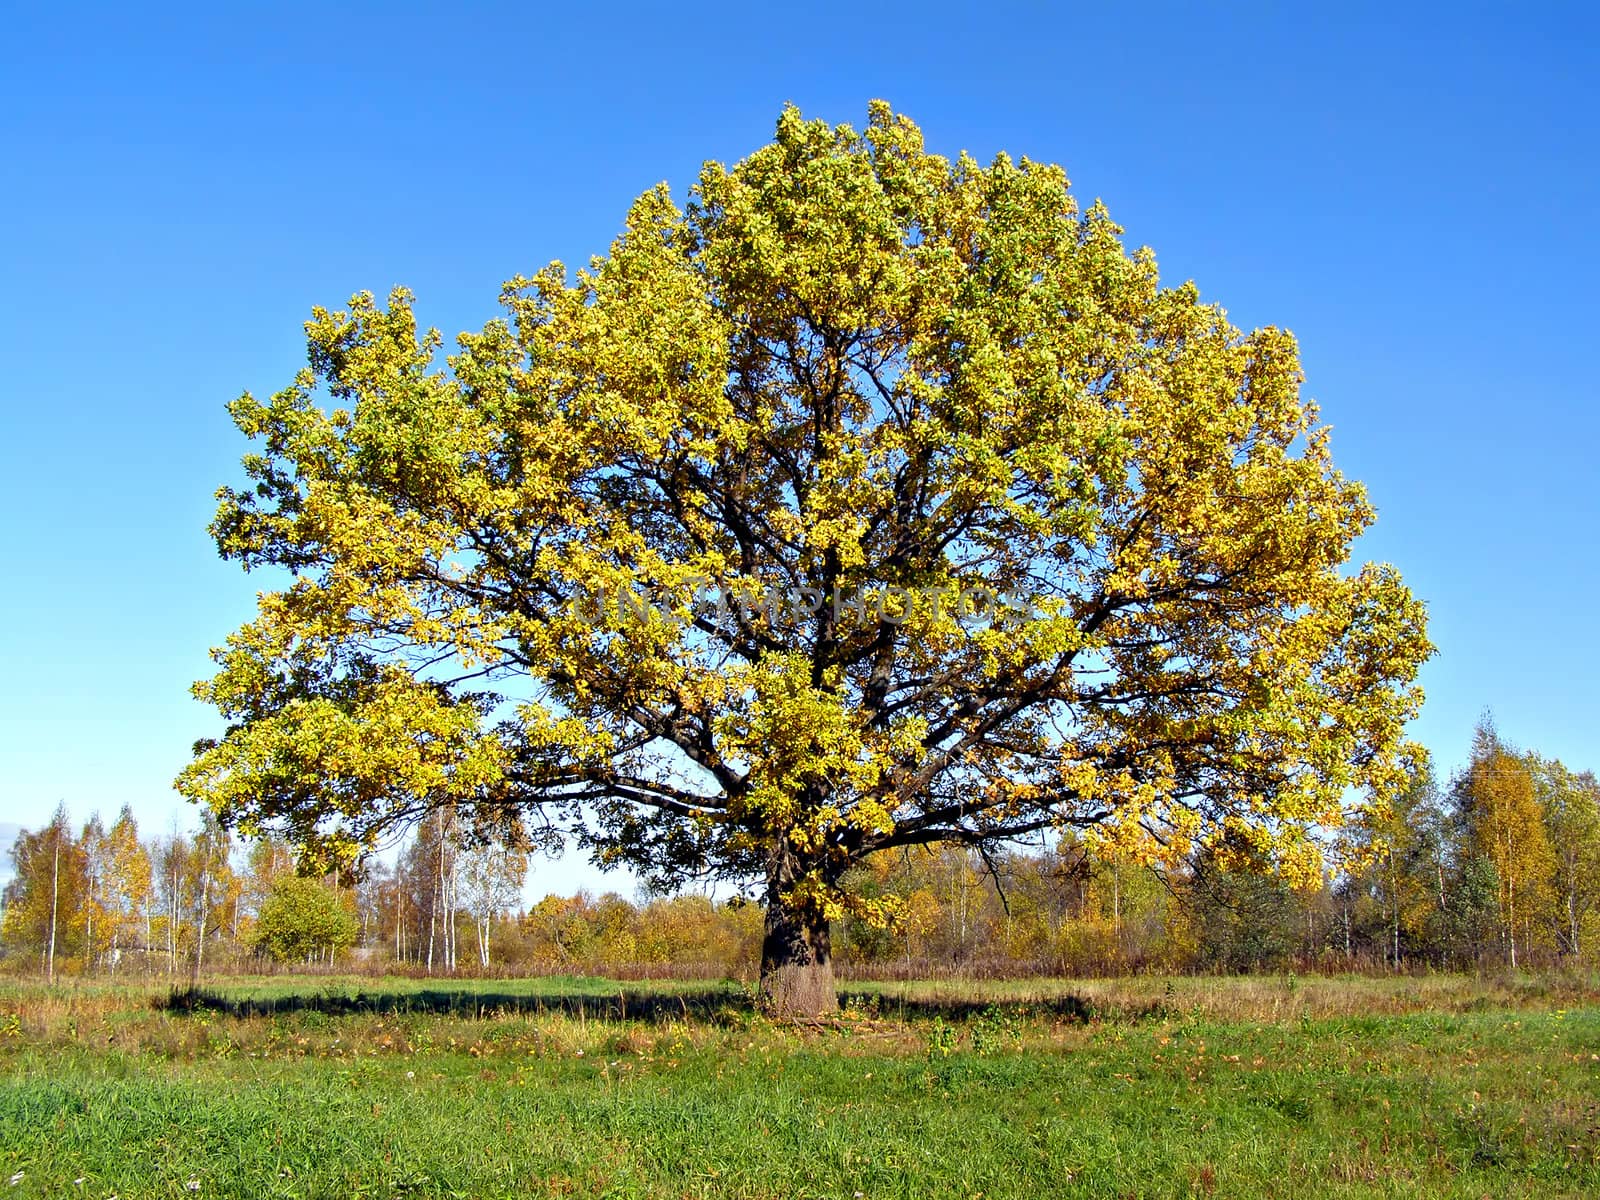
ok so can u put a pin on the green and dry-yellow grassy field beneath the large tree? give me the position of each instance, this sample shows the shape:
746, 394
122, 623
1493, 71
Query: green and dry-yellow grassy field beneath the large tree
1439, 1087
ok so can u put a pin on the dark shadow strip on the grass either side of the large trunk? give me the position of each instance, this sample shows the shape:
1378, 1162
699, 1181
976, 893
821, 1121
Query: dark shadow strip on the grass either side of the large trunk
721, 1006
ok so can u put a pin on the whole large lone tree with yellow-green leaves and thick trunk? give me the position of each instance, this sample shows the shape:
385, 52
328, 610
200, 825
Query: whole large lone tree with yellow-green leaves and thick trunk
698, 551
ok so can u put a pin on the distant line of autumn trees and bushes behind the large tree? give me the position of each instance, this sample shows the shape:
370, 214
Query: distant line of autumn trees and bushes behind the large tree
1498, 866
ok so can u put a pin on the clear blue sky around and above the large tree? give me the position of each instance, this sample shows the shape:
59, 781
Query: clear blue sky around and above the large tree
1414, 193
